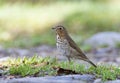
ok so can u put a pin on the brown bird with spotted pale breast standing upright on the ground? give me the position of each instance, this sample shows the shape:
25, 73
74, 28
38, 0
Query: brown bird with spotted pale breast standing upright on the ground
67, 47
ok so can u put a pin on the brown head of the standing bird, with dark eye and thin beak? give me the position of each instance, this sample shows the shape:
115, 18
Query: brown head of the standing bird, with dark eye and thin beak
60, 30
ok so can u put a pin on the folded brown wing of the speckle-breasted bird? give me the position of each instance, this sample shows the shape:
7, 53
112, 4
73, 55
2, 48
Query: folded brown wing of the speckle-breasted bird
74, 45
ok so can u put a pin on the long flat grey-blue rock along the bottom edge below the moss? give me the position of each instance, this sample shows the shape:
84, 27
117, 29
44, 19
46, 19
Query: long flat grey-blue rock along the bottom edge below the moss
53, 79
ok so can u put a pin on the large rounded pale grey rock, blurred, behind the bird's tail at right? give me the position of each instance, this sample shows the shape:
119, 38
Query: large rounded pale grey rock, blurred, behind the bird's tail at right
109, 39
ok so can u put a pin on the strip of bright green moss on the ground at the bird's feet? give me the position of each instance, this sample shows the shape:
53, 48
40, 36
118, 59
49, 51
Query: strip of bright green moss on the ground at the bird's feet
45, 66
